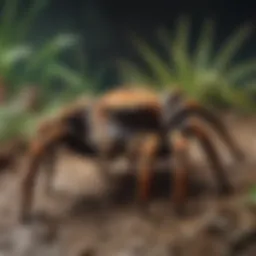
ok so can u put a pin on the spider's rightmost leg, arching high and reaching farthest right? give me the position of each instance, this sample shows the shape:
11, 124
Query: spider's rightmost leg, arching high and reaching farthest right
192, 108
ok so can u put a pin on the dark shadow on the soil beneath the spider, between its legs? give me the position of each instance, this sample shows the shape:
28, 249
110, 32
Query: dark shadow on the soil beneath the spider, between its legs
124, 192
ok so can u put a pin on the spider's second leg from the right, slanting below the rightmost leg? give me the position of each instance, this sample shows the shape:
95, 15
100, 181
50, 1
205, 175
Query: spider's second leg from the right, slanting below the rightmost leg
198, 131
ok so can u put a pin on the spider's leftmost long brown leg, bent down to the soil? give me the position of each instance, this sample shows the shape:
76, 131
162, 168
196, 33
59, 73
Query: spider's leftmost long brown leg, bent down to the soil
38, 149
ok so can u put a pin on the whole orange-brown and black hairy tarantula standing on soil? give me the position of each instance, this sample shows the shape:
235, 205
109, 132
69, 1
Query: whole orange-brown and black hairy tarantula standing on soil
108, 126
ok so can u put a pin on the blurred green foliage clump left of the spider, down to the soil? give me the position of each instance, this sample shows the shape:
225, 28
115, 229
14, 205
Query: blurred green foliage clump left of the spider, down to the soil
24, 65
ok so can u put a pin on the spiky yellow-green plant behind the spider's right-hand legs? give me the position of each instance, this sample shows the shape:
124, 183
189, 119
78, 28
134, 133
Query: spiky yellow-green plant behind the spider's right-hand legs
204, 74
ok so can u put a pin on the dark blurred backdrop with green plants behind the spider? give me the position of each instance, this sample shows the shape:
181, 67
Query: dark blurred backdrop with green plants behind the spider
66, 48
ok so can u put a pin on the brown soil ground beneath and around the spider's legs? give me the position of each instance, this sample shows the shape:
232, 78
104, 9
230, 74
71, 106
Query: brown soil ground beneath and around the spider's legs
85, 225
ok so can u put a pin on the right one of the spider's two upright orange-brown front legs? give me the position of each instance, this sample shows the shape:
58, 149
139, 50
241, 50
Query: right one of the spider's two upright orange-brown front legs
180, 155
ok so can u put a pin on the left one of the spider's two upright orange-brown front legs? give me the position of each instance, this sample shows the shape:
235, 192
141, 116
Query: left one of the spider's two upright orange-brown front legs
146, 159
